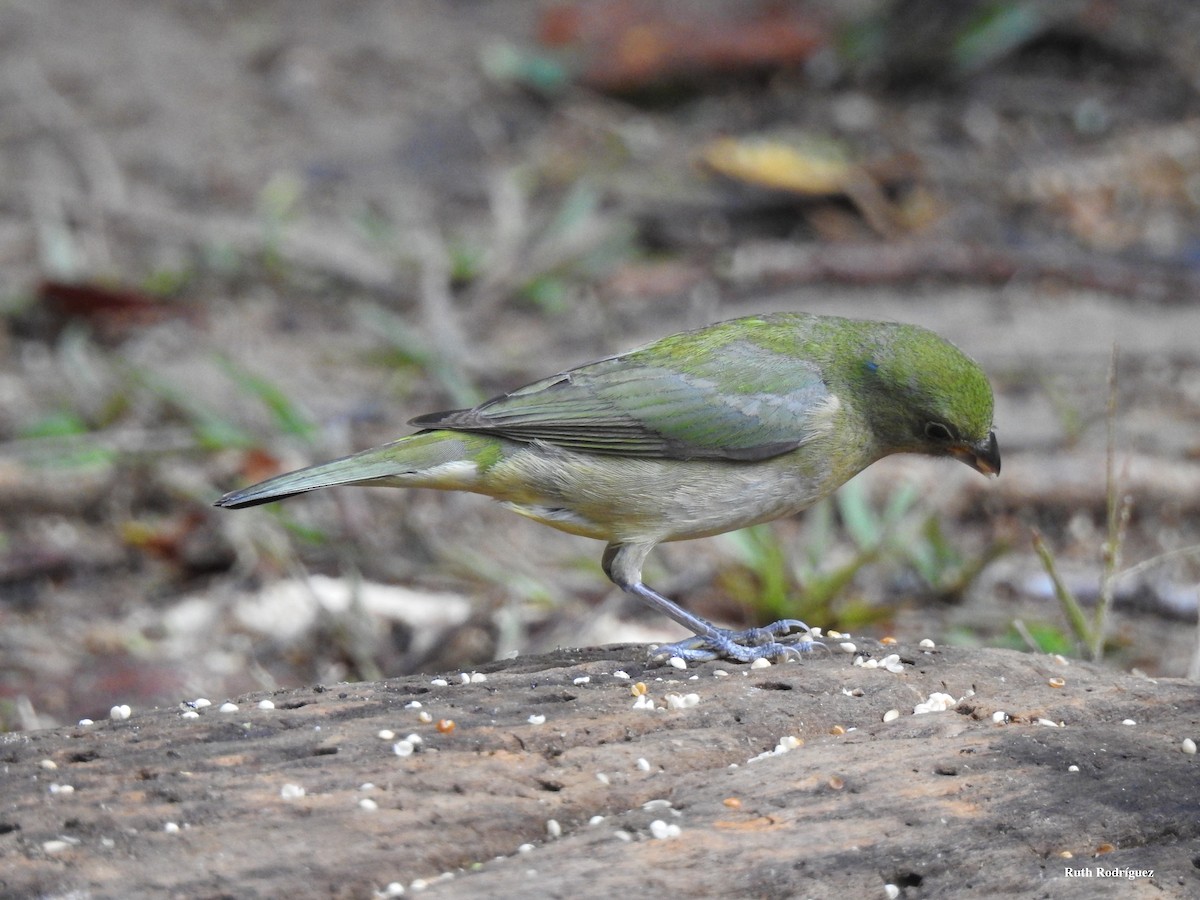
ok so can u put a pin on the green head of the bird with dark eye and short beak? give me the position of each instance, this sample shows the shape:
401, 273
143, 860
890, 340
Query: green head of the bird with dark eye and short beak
927, 397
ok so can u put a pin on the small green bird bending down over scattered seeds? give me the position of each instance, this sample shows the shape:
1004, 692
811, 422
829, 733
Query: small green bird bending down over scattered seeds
694, 435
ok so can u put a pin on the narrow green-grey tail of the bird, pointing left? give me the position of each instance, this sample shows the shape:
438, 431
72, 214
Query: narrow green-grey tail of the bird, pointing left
429, 459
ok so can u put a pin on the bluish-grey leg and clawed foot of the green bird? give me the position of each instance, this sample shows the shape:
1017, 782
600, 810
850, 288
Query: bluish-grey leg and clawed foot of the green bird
623, 565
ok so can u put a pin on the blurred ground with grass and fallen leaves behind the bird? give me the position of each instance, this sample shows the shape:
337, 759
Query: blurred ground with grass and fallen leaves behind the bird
242, 238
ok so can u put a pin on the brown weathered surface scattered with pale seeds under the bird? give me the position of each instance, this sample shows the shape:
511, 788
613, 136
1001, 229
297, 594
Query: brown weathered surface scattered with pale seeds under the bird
311, 797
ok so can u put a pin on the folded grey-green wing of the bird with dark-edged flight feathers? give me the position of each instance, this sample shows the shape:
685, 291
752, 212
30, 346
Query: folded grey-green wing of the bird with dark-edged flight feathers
733, 400
